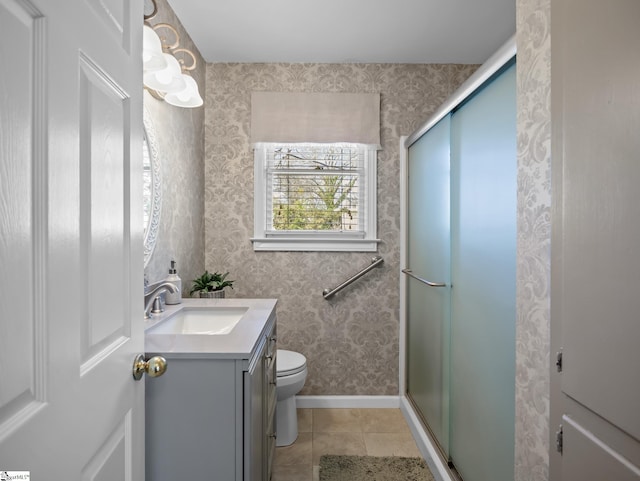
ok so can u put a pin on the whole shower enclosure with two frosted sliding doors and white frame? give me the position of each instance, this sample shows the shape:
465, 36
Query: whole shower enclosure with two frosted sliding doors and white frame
459, 255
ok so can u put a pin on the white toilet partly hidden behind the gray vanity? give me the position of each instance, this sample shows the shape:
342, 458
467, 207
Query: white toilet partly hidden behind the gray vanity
292, 372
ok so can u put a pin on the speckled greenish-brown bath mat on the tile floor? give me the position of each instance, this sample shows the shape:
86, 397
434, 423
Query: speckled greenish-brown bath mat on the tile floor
372, 468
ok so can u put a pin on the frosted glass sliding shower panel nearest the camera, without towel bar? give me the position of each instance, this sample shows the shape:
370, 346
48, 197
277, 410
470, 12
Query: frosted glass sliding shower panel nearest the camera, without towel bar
483, 253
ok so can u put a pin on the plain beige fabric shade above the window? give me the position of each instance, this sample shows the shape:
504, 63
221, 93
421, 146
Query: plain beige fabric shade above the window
295, 117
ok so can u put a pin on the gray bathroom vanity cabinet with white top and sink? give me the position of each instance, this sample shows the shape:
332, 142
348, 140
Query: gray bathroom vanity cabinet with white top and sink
211, 416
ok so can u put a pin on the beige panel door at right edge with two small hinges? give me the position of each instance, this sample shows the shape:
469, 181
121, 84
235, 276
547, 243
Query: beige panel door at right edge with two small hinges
595, 303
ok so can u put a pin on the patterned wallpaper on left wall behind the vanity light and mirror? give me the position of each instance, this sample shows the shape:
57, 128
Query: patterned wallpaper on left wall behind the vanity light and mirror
180, 135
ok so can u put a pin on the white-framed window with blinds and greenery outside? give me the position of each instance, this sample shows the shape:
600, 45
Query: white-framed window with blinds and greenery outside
315, 197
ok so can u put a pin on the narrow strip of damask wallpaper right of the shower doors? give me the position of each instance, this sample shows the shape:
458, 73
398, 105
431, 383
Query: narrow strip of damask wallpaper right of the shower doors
534, 240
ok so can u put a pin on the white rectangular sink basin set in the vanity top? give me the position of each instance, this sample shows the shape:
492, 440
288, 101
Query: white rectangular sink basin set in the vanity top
212, 321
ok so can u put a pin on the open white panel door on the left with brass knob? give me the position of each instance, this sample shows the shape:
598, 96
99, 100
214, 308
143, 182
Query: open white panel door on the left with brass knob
71, 239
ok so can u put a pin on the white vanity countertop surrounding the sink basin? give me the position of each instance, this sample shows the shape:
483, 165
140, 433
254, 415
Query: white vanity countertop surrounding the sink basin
238, 344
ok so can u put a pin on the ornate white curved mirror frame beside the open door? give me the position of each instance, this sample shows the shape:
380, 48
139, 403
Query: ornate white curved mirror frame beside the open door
152, 228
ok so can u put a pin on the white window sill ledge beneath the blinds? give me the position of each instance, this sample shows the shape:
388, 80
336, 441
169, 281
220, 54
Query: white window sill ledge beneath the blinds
315, 244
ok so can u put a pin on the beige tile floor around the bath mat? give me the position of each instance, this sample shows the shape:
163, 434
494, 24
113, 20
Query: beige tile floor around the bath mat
374, 432
